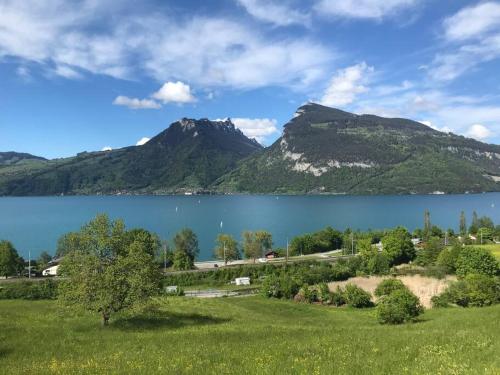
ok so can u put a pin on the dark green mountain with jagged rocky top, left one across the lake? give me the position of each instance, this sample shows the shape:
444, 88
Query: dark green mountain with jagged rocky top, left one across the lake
189, 155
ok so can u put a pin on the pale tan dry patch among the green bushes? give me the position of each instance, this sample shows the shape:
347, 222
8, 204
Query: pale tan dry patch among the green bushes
423, 287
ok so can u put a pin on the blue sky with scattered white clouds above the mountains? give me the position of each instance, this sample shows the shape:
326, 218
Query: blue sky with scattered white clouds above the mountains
94, 74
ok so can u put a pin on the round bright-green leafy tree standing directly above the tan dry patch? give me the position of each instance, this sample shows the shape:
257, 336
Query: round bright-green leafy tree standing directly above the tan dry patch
398, 247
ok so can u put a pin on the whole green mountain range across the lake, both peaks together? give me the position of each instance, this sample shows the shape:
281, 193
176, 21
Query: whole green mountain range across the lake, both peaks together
321, 150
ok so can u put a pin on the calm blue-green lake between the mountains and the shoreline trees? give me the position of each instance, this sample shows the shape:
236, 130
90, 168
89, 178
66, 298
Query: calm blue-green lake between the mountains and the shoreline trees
35, 223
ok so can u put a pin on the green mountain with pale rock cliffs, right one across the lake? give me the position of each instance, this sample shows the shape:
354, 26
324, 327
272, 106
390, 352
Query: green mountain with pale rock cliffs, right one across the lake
325, 150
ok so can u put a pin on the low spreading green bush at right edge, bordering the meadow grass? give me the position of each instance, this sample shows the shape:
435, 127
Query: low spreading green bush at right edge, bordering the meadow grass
473, 290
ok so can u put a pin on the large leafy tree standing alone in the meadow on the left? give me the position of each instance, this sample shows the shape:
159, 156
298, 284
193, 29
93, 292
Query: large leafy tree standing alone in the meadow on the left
107, 274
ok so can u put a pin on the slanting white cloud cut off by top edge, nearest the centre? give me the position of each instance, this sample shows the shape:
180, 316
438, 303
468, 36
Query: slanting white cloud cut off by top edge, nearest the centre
273, 12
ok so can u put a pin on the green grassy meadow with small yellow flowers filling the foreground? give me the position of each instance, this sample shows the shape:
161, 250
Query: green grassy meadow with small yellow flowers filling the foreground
247, 335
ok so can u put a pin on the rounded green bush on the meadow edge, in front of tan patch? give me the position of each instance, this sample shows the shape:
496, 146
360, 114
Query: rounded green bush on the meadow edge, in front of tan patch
398, 307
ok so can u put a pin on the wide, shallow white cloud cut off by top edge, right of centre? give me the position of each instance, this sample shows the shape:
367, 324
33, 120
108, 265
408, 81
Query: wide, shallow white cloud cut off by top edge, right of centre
369, 9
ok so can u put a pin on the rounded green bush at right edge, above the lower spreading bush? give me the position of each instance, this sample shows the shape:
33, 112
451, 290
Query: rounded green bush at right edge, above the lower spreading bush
475, 260
